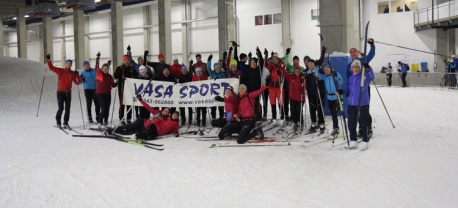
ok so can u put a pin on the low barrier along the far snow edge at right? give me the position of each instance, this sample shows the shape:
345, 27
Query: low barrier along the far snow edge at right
421, 79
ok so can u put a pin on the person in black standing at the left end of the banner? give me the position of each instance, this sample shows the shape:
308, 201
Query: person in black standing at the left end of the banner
122, 72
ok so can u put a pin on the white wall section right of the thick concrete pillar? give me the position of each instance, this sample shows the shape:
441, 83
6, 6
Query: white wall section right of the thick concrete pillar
397, 29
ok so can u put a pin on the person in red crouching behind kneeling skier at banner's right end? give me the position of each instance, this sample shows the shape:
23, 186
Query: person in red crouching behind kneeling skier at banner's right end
230, 104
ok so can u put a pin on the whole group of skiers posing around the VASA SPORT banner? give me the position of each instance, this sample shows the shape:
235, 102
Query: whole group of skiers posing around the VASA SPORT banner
273, 77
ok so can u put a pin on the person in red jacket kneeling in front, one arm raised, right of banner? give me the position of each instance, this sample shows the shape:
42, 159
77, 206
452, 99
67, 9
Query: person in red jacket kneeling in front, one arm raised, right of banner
245, 117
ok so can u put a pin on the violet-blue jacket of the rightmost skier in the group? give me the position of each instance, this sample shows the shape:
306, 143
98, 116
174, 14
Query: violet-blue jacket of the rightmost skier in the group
354, 85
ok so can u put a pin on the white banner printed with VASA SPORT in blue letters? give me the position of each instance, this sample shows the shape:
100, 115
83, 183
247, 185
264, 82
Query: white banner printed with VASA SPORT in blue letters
168, 94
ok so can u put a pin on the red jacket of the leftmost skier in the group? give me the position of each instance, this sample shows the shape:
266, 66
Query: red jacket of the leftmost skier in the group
64, 77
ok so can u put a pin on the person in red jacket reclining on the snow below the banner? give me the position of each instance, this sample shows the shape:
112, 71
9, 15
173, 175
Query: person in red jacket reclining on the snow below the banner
150, 129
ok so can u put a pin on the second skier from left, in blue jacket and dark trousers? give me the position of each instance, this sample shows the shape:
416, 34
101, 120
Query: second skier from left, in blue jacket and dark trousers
88, 77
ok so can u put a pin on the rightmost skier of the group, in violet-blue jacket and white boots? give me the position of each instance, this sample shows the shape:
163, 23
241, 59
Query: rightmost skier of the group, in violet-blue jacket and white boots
353, 93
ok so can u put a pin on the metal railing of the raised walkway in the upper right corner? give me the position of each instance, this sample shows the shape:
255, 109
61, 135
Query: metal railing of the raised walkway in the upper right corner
442, 12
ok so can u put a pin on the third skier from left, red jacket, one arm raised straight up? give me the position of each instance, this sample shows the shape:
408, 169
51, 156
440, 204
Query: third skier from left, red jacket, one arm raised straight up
103, 88
